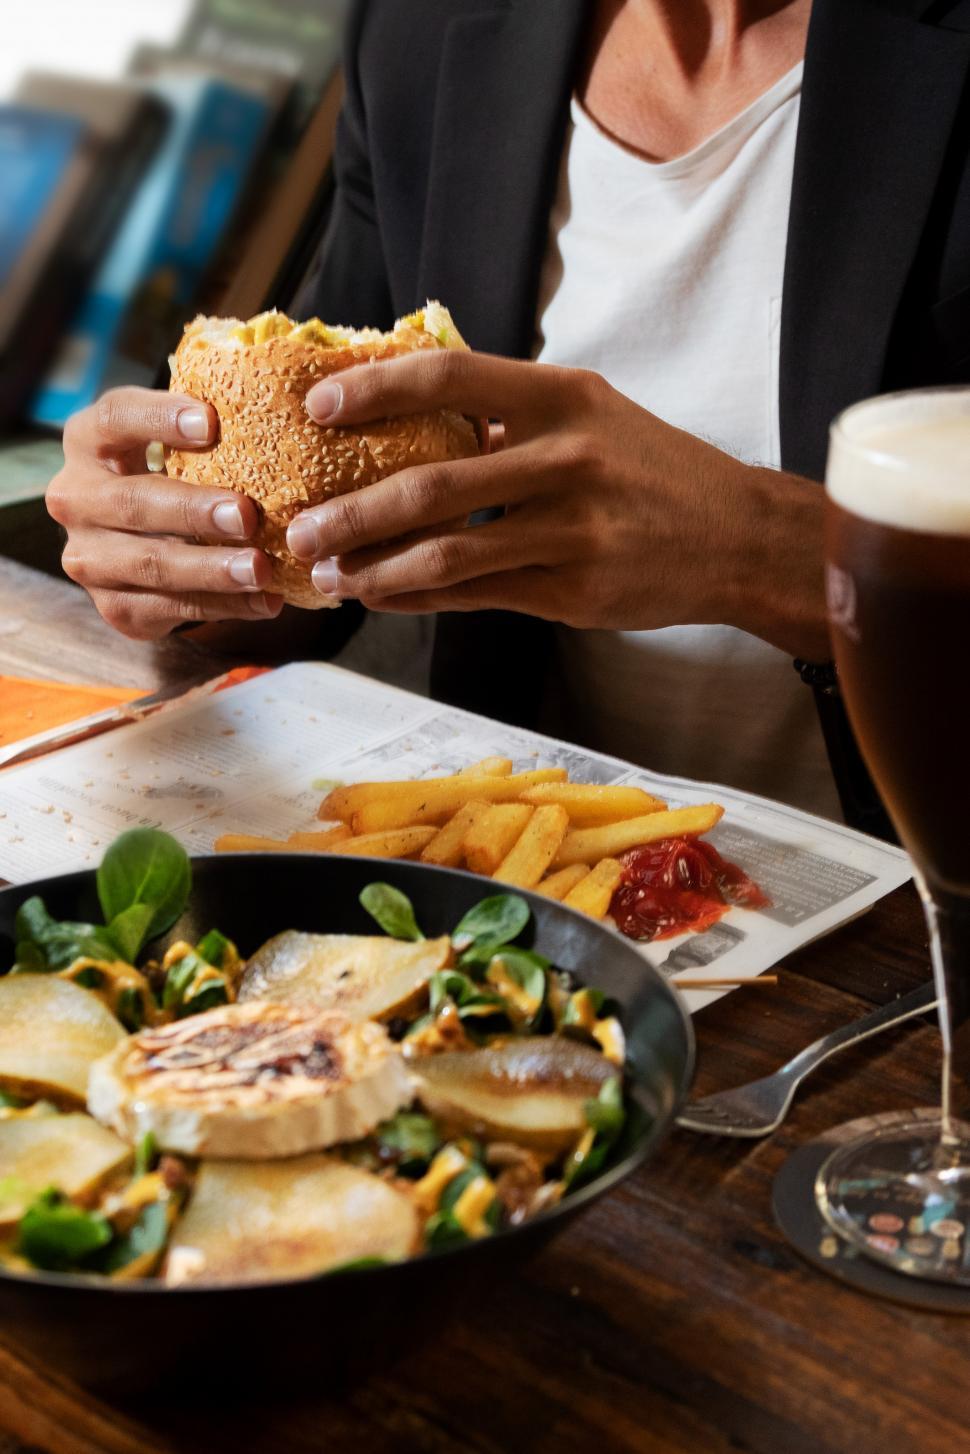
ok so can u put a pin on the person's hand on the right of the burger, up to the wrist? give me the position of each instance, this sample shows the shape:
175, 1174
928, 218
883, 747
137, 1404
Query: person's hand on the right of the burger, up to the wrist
613, 518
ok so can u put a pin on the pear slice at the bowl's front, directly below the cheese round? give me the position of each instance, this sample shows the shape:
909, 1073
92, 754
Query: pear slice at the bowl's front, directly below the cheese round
257, 1222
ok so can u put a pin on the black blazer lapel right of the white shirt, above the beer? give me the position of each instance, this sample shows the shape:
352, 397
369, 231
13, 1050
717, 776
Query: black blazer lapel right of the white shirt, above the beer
879, 103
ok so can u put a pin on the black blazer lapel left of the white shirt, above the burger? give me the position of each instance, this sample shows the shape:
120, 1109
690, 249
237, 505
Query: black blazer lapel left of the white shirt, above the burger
498, 134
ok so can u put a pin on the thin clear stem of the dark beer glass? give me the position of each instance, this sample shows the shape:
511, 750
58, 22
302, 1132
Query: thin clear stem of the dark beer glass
949, 921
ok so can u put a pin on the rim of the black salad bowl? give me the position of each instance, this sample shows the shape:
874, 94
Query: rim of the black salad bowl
574, 1203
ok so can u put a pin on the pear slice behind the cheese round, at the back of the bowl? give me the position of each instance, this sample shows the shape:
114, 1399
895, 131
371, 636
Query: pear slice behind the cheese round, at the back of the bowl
366, 978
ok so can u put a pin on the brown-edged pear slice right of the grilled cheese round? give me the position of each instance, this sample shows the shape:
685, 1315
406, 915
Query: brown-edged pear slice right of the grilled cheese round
530, 1090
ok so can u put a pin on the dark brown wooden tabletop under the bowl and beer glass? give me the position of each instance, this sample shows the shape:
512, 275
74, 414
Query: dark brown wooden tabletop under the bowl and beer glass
673, 1318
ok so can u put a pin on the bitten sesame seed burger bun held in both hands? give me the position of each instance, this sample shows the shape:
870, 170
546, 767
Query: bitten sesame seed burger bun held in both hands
257, 377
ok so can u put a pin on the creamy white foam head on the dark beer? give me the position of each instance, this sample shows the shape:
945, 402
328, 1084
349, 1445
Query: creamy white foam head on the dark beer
905, 460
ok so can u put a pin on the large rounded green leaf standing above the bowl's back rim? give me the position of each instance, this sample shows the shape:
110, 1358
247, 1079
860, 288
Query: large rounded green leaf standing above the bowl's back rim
146, 867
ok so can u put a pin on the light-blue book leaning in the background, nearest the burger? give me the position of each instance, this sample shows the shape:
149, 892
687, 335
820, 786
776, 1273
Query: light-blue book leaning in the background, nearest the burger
174, 228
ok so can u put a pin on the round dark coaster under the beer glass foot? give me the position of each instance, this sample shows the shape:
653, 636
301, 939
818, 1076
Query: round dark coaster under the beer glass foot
803, 1225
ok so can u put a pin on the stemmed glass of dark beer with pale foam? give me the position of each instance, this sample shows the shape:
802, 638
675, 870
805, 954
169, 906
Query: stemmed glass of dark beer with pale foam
898, 587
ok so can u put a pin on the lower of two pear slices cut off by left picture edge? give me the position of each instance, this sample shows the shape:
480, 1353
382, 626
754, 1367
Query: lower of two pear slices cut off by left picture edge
71, 1152
